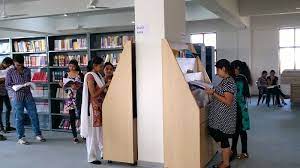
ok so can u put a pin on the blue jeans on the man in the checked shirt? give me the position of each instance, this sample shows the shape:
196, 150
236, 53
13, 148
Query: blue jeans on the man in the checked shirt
30, 107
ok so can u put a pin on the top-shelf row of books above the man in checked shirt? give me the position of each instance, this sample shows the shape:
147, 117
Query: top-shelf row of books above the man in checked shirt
30, 46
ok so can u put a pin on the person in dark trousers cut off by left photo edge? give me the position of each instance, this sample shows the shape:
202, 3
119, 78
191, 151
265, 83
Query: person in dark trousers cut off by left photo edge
6, 63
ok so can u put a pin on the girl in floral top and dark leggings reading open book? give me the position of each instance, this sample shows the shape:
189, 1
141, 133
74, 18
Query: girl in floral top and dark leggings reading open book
72, 84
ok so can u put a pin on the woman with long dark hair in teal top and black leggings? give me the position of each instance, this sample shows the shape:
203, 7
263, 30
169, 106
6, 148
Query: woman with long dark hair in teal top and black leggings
243, 79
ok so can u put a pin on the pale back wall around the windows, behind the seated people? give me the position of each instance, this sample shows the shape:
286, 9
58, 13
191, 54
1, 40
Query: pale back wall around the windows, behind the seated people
258, 46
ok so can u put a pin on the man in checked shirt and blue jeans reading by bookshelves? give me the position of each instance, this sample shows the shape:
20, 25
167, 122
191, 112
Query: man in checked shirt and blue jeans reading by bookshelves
22, 98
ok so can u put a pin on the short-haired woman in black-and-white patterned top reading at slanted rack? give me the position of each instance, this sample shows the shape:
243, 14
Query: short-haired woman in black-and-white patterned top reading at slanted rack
222, 111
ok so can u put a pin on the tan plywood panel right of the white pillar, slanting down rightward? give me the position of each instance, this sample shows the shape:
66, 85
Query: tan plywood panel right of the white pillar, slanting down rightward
183, 136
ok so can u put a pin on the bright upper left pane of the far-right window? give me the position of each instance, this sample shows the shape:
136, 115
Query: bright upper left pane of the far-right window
286, 37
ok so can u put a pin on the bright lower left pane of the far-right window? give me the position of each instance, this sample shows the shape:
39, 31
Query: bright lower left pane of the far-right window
287, 58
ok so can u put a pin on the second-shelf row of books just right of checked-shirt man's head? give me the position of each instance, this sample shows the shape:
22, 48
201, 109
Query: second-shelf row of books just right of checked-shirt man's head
36, 60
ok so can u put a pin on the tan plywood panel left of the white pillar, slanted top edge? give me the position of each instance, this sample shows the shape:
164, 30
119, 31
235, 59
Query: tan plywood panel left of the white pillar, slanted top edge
119, 125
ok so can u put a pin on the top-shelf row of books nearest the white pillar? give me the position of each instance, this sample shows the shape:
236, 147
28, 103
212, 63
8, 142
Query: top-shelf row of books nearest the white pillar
114, 41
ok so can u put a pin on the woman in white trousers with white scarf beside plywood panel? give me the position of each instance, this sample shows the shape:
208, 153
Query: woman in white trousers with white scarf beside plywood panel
94, 89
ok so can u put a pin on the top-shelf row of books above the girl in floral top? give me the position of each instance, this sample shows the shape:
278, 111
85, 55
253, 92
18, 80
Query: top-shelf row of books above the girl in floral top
70, 44
